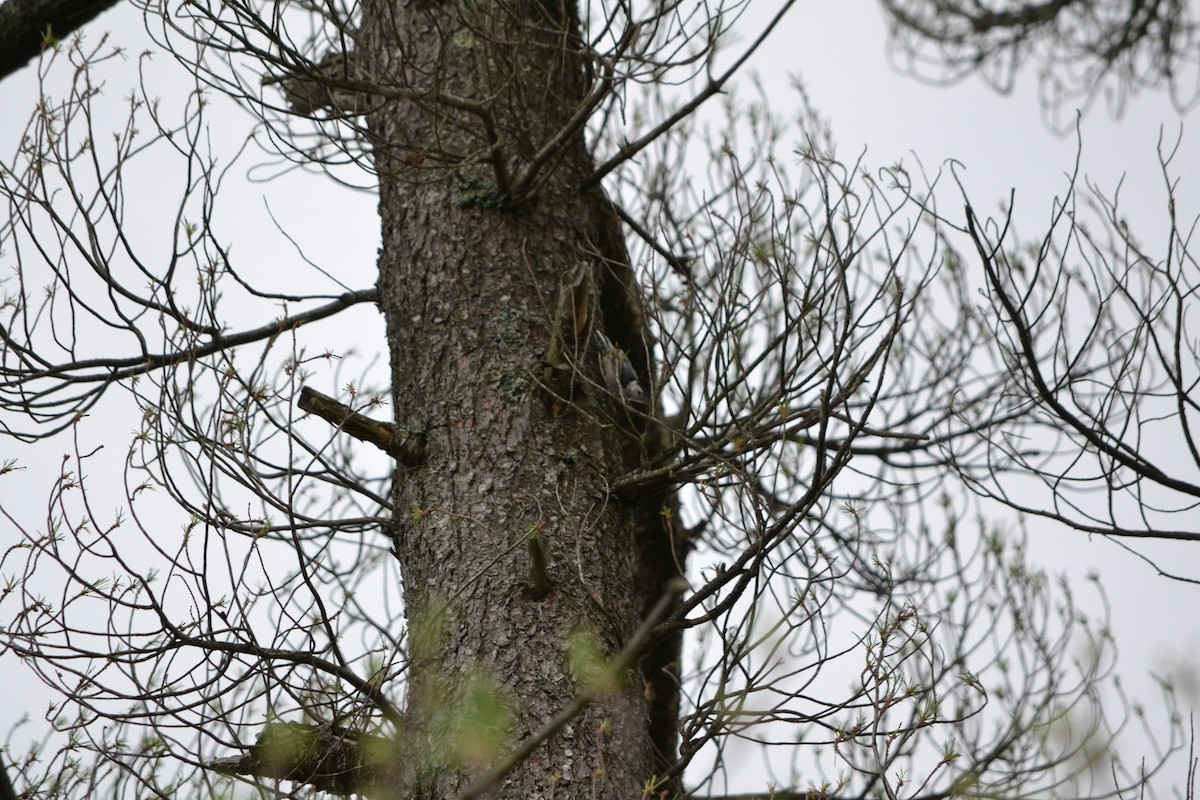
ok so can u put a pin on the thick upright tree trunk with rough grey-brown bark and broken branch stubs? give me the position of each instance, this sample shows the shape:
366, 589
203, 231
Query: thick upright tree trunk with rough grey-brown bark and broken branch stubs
470, 278
